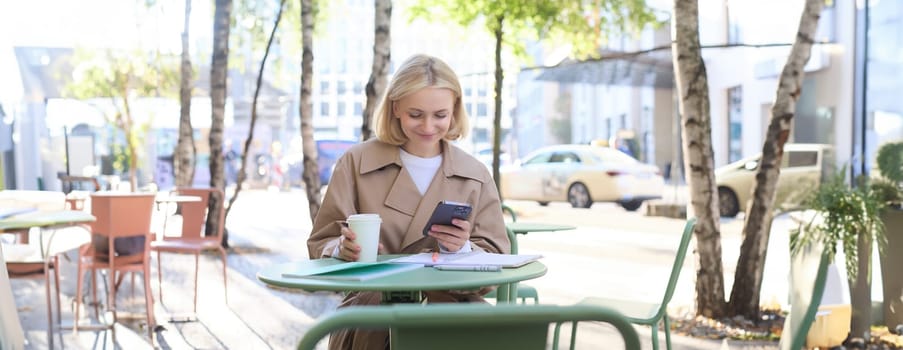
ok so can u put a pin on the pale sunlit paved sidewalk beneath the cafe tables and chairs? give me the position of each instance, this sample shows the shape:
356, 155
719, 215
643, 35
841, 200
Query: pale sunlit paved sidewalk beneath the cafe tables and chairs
265, 228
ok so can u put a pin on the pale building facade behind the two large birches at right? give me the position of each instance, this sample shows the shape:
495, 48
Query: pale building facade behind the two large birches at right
848, 97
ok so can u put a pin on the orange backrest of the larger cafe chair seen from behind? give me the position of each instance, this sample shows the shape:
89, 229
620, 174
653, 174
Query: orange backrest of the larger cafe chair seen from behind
122, 214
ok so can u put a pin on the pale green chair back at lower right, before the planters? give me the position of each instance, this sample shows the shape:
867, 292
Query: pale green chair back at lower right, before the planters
808, 277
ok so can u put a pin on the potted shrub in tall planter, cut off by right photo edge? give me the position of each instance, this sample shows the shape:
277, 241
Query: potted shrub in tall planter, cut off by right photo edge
889, 189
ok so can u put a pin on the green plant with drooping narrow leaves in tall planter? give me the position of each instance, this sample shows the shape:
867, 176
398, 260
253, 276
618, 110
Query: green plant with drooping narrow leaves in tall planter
846, 216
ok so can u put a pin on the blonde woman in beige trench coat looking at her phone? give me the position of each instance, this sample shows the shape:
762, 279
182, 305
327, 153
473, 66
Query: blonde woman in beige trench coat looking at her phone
401, 175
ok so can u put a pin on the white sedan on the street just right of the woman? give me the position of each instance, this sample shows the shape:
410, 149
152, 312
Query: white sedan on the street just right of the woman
581, 175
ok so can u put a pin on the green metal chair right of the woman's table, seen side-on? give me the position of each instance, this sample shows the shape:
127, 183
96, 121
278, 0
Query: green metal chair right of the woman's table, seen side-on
651, 314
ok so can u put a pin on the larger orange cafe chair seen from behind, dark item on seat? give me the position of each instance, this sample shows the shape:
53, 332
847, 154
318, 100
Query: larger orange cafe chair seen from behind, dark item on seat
119, 216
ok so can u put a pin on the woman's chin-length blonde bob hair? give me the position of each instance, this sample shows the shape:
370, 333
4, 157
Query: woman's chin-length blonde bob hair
416, 73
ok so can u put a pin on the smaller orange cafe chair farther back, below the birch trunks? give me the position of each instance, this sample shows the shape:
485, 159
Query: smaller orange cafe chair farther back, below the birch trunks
193, 240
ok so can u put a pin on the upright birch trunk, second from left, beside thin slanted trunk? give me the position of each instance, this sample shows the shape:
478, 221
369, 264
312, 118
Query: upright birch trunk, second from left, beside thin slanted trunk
218, 78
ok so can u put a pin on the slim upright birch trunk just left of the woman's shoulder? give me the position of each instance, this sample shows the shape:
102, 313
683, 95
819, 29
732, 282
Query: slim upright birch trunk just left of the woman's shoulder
311, 175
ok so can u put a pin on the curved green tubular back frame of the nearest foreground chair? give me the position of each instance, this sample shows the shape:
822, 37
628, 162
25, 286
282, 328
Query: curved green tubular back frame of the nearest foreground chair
466, 326
